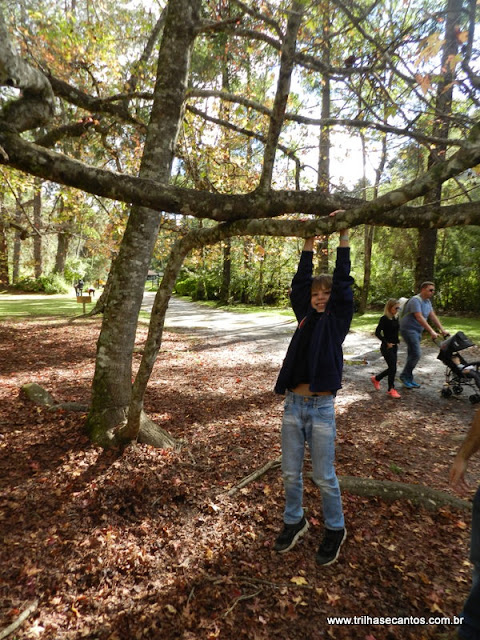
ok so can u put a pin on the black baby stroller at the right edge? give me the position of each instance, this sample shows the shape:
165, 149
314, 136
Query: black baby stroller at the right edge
459, 373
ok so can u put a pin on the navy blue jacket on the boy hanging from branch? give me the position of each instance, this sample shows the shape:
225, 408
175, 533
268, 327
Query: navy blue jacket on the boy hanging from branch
330, 331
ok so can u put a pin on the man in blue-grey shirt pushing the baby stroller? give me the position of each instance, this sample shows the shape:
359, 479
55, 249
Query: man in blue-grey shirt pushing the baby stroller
415, 318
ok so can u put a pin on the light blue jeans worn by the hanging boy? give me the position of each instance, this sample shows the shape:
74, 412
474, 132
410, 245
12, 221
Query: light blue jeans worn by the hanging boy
310, 420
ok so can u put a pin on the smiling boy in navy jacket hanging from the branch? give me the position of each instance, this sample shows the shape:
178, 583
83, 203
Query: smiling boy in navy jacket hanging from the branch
310, 377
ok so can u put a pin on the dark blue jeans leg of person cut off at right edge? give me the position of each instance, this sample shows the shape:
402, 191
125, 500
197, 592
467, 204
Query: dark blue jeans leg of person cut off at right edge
470, 629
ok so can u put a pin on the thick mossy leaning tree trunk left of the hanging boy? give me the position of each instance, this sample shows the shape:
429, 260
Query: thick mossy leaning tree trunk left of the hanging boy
112, 383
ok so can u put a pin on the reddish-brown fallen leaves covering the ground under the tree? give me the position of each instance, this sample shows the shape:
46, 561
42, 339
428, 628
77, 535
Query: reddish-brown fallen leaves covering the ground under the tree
146, 543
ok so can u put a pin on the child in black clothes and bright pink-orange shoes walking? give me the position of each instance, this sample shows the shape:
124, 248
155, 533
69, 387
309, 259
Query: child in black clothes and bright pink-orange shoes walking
387, 332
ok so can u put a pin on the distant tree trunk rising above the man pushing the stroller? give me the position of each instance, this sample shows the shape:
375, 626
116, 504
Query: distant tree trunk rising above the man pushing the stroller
427, 238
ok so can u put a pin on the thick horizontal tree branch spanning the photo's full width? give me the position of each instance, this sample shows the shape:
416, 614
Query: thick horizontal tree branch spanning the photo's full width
61, 169
